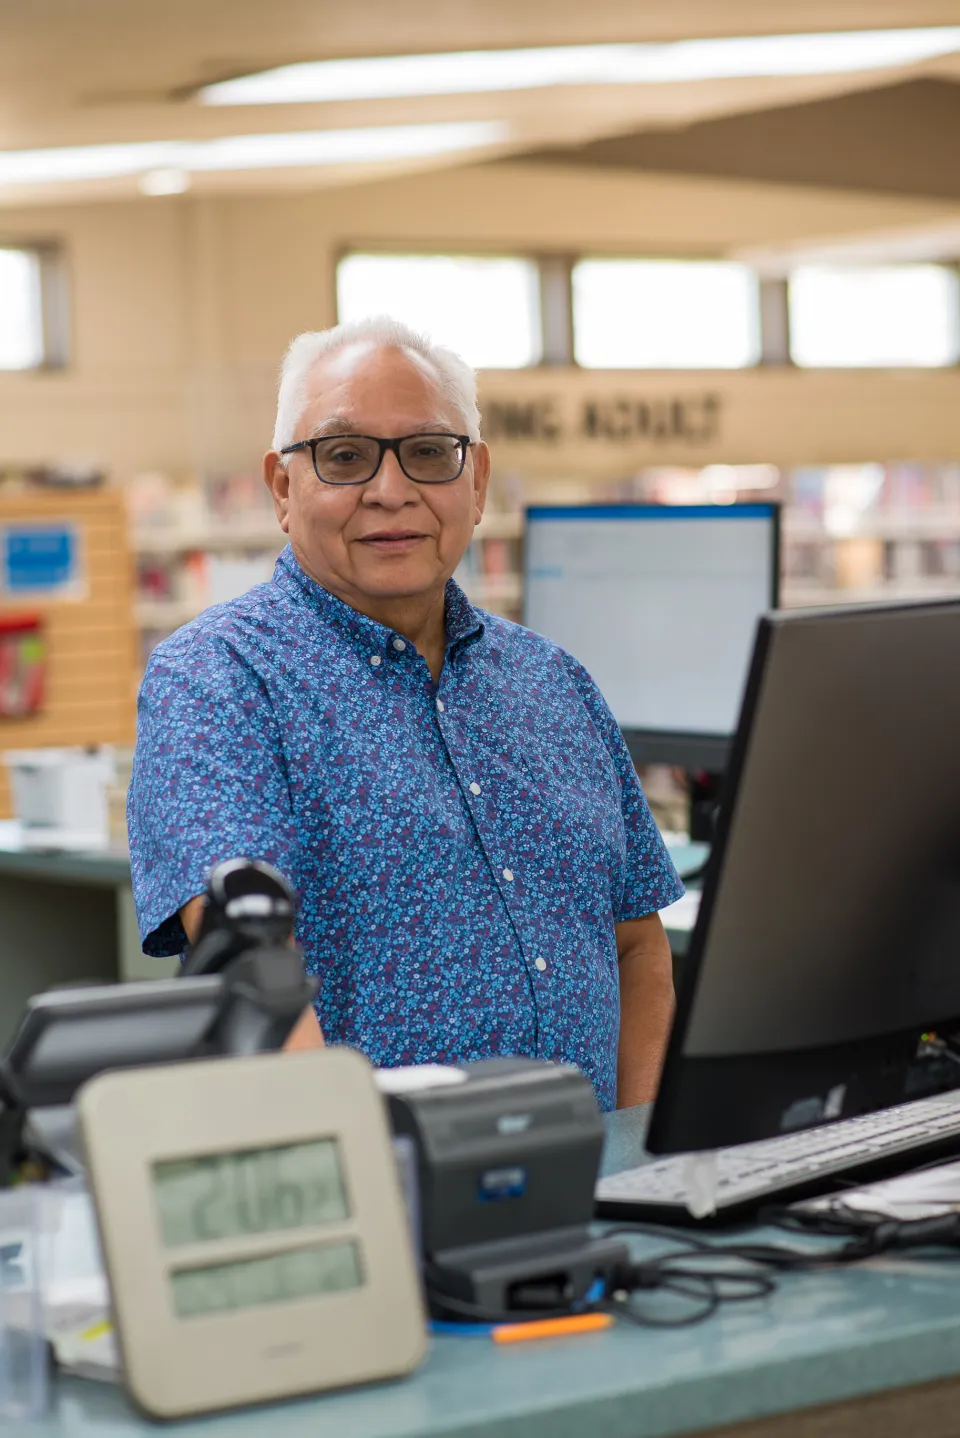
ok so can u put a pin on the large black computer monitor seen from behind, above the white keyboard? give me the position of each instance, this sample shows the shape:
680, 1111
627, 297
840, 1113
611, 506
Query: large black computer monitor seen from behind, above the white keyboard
829, 938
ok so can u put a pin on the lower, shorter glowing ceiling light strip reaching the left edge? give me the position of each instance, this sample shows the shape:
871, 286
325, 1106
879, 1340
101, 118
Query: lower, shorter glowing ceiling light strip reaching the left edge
317, 147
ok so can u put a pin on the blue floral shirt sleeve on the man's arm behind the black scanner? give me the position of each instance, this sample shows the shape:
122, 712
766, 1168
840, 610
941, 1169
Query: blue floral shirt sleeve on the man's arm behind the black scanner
209, 780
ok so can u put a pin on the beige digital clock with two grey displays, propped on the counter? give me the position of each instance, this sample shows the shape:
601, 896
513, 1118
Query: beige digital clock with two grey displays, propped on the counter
252, 1227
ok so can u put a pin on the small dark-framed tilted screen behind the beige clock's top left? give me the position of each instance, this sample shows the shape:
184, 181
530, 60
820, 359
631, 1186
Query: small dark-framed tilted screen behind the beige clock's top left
67, 1036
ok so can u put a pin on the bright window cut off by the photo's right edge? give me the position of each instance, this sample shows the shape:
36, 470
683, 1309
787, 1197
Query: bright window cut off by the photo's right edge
879, 316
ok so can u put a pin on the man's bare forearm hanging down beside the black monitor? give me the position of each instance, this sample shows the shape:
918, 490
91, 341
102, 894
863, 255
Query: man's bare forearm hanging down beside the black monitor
646, 1007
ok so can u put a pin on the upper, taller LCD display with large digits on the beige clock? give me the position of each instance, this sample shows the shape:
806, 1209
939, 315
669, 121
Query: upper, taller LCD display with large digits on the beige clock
259, 1191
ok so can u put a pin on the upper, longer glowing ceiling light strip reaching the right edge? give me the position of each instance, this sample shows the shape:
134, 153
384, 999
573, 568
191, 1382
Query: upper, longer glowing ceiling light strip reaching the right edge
476, 71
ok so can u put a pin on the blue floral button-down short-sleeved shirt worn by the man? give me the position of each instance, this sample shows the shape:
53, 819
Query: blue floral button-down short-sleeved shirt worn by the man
462, 851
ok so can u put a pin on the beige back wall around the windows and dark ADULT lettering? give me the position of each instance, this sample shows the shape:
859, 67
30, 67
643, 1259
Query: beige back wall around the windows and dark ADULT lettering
183, 307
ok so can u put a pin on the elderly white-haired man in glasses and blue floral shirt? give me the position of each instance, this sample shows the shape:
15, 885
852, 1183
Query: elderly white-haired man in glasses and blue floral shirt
476, 865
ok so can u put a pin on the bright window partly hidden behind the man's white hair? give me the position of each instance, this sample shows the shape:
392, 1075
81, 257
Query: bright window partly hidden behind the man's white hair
486, 310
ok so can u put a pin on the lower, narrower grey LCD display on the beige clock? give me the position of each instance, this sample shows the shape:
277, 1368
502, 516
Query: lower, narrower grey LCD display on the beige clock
246, 1283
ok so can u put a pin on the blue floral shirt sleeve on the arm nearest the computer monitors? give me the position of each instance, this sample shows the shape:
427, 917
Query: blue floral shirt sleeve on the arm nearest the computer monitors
652, 882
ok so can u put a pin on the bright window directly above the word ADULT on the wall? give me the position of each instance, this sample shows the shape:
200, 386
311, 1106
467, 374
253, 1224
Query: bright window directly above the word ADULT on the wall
666, 316
